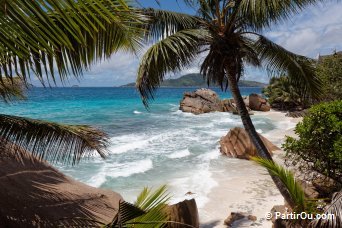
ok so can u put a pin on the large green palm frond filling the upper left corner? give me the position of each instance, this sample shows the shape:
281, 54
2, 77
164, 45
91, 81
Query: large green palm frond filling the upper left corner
39, 36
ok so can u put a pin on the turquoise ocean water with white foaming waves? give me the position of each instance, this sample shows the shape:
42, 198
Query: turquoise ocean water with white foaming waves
147, 148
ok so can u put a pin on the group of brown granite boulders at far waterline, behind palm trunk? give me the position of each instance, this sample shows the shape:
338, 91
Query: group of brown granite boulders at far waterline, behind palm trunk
206, 100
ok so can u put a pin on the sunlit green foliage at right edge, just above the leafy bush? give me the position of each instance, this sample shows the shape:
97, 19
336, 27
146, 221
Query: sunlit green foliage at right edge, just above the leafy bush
329, 69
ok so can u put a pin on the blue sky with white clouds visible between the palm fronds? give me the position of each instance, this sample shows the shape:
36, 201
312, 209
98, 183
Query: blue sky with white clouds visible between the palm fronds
316, 30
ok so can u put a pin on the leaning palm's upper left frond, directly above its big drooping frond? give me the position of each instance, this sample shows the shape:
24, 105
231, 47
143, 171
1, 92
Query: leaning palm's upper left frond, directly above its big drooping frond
162, 23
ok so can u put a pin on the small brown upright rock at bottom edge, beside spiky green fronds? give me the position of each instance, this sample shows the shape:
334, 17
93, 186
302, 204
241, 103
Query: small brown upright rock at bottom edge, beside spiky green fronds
183, 212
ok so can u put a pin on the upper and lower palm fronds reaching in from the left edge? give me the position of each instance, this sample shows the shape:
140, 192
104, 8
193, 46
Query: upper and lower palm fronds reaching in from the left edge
54, 39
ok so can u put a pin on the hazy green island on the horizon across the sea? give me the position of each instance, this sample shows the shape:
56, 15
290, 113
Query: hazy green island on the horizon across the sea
196, 80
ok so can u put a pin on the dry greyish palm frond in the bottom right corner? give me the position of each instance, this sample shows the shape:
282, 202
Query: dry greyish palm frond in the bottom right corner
333, 214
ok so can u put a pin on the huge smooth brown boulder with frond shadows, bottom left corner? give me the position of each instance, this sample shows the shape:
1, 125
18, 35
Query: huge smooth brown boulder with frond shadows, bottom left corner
34, 194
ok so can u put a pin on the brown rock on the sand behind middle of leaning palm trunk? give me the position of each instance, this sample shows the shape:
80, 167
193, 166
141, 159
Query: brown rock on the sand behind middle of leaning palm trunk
237, 144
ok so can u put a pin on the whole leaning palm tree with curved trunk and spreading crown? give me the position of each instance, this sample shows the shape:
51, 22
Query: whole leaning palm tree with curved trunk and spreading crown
228, 33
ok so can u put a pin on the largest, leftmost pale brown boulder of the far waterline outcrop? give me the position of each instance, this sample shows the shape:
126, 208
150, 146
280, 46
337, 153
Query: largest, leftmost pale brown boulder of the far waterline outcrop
201, 101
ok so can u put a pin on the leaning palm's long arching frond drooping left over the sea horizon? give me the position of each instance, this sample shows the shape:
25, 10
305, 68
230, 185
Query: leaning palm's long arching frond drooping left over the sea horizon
168, 55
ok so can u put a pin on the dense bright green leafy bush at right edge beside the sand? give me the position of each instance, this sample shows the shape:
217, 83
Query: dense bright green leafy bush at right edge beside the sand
320, 140
